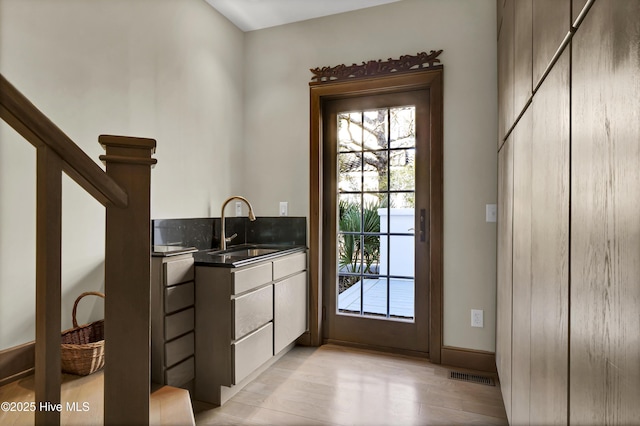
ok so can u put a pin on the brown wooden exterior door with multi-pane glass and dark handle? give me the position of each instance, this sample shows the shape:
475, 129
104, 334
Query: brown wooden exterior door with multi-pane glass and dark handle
375, 261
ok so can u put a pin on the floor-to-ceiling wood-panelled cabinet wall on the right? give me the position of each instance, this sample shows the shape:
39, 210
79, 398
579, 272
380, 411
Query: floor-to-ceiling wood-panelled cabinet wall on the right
568, 293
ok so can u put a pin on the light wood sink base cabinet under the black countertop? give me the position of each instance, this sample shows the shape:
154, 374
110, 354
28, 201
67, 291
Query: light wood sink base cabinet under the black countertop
244, 318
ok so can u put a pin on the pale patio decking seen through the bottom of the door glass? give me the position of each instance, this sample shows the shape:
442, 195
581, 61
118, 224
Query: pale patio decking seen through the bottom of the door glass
375, 297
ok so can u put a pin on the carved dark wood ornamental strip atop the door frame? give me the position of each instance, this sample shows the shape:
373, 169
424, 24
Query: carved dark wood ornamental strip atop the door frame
405, 63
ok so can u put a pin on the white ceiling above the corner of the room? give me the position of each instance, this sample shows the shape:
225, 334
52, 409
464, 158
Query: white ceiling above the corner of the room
249, 15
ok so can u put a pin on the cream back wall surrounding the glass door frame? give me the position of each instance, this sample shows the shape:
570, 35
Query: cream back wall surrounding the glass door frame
277, 62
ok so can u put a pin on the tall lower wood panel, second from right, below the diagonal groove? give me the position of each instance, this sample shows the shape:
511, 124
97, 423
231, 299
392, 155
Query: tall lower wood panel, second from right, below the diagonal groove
549, 247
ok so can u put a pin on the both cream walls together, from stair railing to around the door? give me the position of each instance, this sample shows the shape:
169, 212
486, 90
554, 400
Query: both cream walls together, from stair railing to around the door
174, 70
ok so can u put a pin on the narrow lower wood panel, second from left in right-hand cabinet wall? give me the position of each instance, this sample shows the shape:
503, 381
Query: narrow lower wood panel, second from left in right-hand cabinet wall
521, 345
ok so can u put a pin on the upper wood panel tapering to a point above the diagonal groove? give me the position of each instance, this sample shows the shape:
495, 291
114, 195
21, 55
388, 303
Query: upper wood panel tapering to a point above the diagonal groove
551, 23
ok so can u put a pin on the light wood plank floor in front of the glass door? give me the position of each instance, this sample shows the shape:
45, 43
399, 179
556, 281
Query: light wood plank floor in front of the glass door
334, 385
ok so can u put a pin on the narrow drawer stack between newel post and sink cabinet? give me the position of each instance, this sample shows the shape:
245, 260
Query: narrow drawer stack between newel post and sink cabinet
173, 320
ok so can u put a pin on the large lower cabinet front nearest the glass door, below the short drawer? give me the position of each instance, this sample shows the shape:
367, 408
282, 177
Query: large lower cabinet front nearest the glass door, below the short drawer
290, 313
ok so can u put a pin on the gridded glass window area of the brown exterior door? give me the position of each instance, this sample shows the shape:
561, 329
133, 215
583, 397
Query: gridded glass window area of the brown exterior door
376, 201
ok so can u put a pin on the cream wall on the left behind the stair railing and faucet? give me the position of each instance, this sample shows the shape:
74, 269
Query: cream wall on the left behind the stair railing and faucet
164, 69
